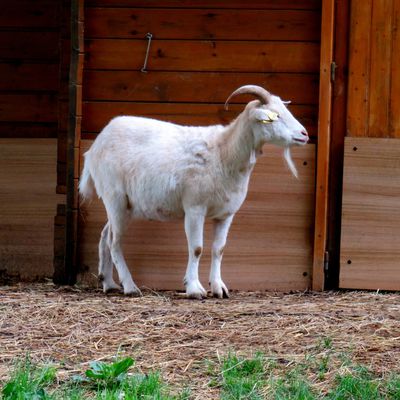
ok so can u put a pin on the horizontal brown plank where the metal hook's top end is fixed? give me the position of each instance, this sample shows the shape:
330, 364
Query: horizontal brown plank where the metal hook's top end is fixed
203, 24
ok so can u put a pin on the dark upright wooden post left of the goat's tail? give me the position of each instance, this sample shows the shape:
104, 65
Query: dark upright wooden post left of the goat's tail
66, 273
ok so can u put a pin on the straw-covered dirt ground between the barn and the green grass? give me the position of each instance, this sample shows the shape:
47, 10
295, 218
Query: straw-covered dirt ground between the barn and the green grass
167, 332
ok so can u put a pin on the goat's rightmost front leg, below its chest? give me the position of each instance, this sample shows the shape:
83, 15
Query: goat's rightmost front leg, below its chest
221, 229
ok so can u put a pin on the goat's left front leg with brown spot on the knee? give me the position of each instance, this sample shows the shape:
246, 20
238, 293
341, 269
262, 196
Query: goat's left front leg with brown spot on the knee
194, 225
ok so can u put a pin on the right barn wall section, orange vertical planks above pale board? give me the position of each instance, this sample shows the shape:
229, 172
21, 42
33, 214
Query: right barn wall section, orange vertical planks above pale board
371, 190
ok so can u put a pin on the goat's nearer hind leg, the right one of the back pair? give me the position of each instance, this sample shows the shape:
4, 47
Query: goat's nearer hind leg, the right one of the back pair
118, 217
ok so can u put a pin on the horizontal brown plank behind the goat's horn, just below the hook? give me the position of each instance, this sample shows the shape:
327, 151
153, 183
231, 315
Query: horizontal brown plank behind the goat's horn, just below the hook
198, 87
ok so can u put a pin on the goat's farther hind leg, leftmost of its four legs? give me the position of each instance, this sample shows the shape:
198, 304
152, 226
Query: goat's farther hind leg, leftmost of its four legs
105, 261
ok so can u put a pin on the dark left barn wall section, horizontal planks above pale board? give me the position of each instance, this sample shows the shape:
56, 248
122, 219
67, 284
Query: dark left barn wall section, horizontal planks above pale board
29, 91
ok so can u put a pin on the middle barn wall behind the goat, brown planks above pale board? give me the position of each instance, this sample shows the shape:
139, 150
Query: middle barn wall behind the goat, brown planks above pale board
200, 53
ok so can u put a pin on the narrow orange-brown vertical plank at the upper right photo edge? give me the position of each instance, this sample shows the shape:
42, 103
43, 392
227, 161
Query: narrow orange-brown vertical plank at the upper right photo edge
394, 103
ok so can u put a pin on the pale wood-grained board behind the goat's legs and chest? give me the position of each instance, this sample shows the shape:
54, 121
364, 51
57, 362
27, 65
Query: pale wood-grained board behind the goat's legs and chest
269, 246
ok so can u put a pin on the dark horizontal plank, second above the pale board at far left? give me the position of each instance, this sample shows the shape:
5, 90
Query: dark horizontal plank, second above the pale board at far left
28, 107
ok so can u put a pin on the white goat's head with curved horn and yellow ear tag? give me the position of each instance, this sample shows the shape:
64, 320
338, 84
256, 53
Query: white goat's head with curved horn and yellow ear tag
271, 120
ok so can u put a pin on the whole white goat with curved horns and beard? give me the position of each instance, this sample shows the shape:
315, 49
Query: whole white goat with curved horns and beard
147, 169
